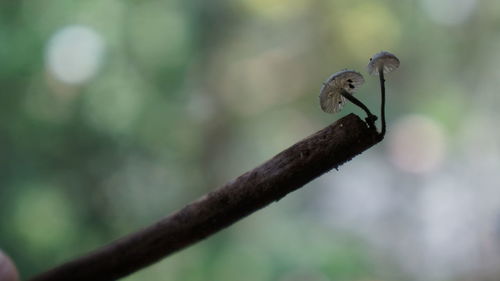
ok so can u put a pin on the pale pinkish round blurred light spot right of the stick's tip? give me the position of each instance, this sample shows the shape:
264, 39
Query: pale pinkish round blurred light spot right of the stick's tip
417, 144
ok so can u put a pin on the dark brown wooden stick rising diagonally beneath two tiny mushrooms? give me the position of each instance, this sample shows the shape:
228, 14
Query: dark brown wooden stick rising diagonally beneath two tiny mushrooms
271, 181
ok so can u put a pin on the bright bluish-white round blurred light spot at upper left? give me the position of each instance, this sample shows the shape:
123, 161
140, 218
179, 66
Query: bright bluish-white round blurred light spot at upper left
74, 54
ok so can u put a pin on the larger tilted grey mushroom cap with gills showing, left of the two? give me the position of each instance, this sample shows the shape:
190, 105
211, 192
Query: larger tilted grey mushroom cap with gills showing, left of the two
330, 99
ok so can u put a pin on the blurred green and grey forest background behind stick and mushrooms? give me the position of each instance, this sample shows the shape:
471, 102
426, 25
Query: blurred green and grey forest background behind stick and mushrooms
115, 113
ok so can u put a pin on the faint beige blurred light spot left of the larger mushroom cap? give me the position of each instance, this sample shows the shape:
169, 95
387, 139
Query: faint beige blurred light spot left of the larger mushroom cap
261, 81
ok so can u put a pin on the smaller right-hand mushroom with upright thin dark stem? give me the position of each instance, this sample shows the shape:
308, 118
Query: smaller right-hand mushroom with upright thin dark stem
380, 63
